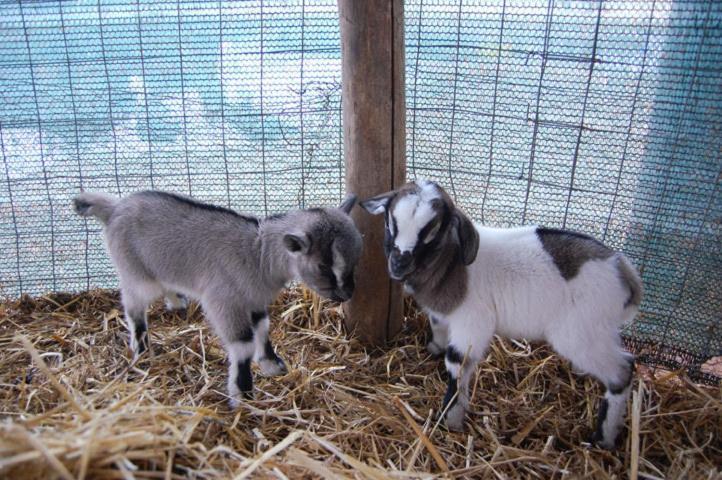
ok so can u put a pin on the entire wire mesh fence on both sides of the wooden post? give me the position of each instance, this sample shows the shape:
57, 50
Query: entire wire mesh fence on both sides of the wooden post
601, 117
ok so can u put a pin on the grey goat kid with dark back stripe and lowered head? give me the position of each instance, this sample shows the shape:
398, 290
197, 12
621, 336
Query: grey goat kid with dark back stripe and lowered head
163, 244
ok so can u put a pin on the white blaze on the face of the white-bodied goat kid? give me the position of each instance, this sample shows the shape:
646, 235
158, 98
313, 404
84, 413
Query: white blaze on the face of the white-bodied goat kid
411, 214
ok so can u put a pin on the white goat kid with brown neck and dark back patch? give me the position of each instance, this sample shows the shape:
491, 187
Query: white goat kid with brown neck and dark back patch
540, 284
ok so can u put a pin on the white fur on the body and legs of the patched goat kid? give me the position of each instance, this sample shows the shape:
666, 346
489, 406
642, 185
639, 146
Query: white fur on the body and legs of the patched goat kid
516, 290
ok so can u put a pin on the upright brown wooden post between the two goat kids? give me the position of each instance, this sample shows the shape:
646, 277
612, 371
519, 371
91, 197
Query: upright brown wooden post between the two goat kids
374, 122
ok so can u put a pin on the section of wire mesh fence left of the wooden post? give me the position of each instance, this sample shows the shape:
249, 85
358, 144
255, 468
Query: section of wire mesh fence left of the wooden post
234, 103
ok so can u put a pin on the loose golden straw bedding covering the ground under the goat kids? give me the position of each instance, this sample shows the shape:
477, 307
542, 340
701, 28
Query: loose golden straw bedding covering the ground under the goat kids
73, 407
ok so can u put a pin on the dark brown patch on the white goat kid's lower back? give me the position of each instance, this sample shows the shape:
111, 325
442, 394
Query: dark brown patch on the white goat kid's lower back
570, 250
